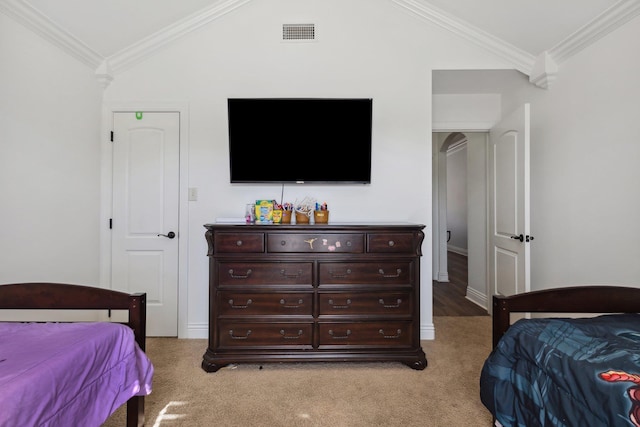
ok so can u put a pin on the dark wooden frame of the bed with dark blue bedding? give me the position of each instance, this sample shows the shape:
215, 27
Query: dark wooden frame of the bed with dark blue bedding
577, 299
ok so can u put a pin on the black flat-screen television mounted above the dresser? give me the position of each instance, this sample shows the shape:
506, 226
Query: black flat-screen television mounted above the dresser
300, 140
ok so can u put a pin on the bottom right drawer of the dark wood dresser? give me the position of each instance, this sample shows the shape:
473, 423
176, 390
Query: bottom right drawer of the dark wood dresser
378, 334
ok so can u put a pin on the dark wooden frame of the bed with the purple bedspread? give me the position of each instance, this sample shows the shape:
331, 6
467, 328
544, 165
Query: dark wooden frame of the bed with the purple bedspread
35, 296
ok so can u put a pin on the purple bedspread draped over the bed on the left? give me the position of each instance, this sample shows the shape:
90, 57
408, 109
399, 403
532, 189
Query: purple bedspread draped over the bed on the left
68, 374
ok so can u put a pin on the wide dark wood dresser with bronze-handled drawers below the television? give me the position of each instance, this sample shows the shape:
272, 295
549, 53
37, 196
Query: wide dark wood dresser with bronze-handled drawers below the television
298, 293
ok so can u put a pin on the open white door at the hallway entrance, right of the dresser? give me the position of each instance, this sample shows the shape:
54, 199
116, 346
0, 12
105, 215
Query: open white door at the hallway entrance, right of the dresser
509, 234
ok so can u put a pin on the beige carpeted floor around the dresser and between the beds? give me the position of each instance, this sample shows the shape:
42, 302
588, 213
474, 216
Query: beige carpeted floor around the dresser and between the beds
446, 393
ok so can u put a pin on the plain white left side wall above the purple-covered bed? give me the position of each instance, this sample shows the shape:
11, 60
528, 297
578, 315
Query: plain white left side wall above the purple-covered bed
49, 162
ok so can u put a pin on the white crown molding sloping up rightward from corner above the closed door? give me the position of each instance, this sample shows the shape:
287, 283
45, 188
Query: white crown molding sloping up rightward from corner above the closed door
138, 51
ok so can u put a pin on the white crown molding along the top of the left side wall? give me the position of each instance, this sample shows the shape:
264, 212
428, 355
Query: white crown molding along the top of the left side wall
47, 29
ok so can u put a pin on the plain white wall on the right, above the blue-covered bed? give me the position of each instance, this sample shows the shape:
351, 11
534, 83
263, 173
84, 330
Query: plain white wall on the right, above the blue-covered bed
585, 206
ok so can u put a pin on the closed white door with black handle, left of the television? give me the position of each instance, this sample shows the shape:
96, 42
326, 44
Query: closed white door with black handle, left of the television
145, 213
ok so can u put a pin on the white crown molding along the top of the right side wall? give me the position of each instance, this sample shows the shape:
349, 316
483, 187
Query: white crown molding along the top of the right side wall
605, 23
